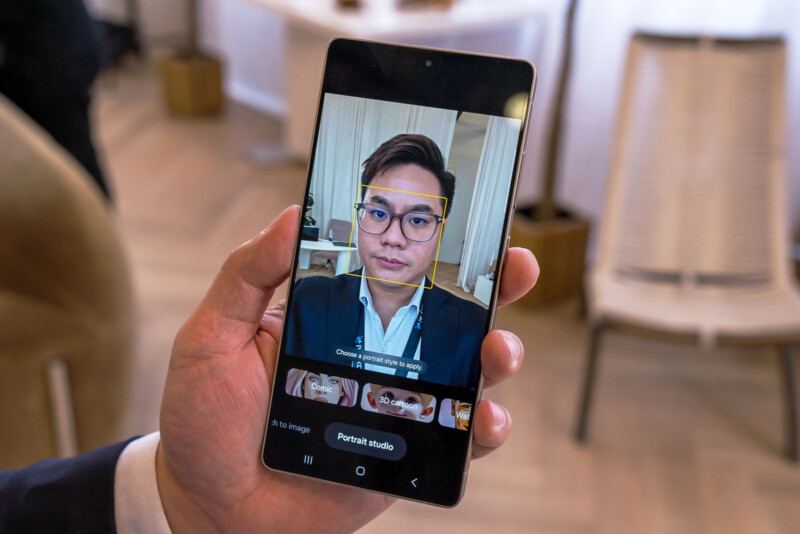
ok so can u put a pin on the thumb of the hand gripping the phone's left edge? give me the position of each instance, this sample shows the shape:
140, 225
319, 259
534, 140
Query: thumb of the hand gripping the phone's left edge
232, 309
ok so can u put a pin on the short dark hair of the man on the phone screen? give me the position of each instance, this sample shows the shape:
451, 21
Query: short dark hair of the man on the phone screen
418, 150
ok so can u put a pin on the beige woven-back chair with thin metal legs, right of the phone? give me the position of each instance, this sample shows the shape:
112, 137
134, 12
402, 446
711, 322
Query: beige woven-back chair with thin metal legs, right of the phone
694, 242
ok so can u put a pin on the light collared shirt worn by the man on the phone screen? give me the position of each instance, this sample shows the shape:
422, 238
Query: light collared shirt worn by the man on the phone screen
393, 341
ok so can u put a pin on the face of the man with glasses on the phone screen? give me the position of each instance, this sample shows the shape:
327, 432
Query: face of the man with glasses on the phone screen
391, 256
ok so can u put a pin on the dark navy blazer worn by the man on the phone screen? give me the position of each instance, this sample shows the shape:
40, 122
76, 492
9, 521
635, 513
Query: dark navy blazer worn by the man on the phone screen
324, 315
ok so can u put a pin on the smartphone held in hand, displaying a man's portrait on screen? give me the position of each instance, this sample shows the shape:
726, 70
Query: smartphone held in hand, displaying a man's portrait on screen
408, 204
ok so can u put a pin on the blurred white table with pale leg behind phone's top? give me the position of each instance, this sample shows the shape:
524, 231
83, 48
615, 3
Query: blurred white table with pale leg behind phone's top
484, 26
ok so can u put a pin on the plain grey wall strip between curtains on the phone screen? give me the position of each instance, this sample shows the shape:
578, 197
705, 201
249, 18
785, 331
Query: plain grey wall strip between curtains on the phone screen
465, 155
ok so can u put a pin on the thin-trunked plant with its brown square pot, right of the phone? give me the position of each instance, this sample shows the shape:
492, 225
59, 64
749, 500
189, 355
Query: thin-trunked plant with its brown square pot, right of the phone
555, 235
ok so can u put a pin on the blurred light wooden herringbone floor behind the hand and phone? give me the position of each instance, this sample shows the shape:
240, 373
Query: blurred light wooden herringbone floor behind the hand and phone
683, 441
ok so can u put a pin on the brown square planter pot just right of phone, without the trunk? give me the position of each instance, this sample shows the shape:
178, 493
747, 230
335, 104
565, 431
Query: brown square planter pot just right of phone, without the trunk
560, 247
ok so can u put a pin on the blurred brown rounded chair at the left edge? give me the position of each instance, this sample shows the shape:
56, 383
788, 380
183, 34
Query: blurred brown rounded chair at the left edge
66, 314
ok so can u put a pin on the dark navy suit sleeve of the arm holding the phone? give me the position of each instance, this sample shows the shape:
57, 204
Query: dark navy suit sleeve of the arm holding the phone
73, 495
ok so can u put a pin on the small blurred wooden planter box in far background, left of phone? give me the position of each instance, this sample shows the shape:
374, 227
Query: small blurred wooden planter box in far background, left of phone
191, 84
